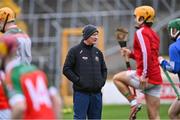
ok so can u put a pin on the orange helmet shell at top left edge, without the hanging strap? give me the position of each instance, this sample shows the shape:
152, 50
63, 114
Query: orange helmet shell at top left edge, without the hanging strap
6, 13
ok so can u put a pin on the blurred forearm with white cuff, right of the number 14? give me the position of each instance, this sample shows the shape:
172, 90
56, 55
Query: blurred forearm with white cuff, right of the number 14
56, 100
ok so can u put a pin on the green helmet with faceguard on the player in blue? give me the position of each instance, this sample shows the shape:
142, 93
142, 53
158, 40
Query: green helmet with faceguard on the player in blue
174, 28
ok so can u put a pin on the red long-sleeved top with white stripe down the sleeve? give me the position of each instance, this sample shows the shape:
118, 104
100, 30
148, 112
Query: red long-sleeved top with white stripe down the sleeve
146, 52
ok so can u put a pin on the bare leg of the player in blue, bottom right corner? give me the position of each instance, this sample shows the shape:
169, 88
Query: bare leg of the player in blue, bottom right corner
174, 110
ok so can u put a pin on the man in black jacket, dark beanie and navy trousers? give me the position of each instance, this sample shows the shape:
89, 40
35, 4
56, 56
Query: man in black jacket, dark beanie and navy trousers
86, 68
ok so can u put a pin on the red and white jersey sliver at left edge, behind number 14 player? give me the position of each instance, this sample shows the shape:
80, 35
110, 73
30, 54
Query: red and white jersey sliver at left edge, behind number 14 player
3, 98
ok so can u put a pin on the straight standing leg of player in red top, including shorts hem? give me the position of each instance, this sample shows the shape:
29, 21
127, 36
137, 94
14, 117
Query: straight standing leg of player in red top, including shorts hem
152, 97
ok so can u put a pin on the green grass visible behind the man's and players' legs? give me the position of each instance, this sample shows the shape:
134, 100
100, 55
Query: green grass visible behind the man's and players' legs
122, 112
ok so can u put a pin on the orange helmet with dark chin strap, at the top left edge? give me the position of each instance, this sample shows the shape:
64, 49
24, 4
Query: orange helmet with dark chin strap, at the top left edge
6, 16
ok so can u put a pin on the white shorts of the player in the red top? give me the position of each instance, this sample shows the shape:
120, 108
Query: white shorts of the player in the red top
151, 89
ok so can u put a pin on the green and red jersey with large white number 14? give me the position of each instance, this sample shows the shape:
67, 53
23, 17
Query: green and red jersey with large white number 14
29, 84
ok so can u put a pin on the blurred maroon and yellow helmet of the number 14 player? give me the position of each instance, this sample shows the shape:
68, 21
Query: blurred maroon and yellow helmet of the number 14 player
8, 45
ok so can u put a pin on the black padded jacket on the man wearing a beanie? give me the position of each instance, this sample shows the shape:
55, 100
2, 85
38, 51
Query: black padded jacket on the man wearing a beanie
86, 68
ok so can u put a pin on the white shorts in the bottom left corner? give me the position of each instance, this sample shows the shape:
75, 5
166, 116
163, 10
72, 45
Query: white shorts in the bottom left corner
5, 114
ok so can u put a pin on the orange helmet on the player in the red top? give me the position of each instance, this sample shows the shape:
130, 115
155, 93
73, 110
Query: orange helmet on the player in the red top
147, 12
